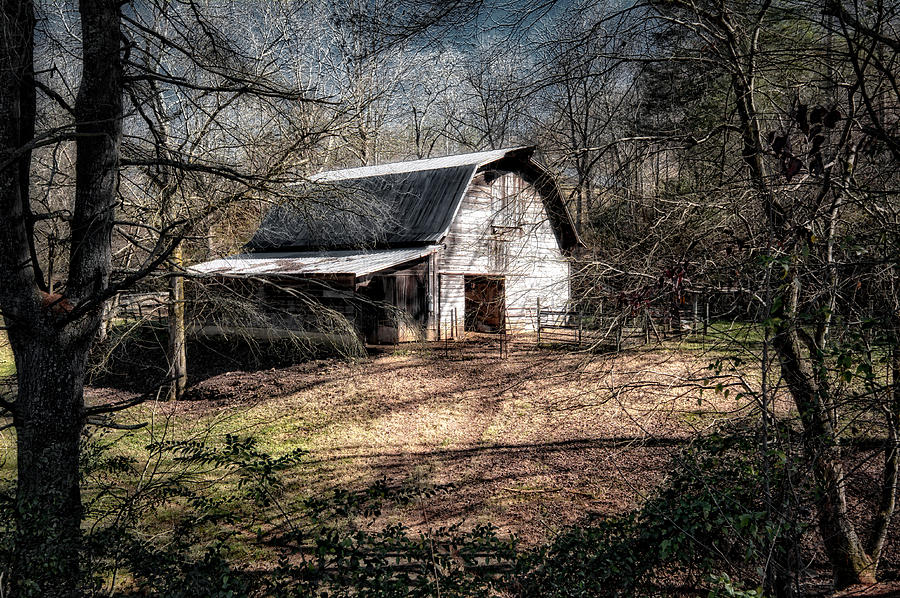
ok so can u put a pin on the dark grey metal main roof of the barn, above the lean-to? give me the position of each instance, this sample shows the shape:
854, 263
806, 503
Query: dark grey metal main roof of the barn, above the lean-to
392, 204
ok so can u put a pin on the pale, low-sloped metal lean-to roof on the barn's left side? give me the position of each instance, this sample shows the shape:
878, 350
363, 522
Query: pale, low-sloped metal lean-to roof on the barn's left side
356, 263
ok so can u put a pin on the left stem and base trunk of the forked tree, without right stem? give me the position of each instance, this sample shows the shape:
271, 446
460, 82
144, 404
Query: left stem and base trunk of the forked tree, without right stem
47, 413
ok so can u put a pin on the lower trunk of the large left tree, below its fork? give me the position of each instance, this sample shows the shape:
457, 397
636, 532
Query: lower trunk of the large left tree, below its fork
48, 419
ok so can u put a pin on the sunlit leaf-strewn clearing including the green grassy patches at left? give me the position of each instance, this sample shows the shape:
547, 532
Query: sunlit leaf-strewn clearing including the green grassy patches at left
529, 443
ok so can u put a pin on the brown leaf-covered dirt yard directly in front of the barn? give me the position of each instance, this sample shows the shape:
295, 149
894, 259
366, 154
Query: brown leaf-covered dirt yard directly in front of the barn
530, 442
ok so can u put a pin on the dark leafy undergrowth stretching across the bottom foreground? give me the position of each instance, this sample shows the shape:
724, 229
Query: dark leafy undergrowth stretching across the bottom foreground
188, 528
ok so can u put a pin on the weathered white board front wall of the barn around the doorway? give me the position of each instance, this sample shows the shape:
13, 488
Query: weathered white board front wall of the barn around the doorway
502, 229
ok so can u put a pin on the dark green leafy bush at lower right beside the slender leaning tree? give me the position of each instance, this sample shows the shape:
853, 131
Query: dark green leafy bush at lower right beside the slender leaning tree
709, 515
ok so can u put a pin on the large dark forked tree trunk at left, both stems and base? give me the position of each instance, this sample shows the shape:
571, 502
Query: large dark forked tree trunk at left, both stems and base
49, 339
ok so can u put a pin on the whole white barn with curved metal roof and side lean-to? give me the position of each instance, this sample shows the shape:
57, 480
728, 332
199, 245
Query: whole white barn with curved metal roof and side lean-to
422, 249
